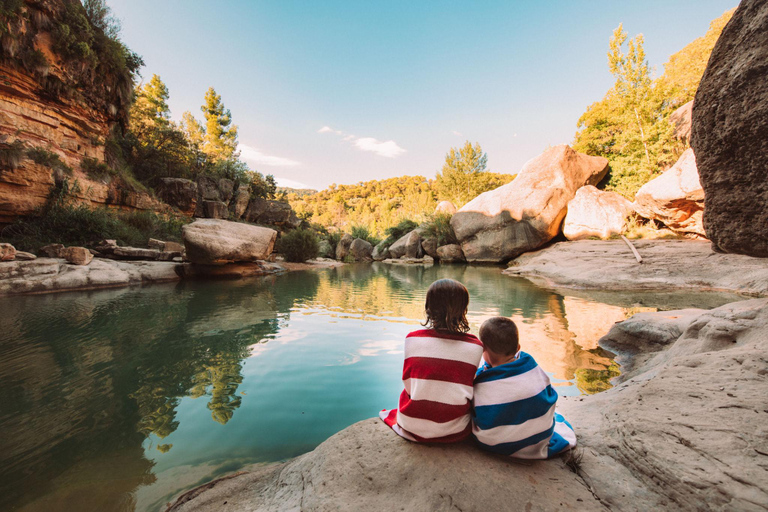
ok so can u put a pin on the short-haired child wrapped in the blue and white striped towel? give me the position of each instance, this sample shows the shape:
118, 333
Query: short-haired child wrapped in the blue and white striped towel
514, 403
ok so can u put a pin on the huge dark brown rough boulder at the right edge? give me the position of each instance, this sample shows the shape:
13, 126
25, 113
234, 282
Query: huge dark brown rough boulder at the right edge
730, 134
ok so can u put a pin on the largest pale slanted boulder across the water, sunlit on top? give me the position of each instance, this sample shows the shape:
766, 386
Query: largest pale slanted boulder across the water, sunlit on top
526, 213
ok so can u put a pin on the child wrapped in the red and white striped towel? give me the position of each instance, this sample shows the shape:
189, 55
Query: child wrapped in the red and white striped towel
440, 365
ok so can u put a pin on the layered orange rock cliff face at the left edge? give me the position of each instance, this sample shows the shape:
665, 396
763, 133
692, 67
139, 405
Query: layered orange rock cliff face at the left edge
64, 128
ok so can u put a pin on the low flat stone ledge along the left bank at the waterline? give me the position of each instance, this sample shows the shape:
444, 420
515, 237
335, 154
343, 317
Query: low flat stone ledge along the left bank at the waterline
45, 275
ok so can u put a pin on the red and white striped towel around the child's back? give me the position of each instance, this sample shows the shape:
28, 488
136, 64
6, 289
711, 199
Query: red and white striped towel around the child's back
438, 373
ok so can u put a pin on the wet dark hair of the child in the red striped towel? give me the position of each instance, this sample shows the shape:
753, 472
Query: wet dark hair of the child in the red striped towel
446, 306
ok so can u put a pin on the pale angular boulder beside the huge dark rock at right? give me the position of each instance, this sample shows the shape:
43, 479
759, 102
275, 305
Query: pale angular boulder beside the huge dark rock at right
675, 198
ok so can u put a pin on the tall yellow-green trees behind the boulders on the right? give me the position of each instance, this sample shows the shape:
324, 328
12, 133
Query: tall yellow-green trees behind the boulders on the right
630, 125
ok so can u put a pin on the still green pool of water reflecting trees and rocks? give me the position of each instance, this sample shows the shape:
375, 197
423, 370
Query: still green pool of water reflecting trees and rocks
120, 399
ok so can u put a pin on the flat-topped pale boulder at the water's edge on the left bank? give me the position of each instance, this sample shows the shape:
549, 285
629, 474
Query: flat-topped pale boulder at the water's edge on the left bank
212, 241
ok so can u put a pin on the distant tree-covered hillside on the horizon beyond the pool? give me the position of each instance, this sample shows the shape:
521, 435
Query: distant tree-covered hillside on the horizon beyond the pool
377, 204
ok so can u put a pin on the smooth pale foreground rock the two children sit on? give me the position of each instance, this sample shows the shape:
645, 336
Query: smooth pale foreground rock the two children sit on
687, 433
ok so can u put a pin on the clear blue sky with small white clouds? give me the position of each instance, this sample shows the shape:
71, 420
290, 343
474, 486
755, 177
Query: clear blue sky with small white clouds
346, 91
